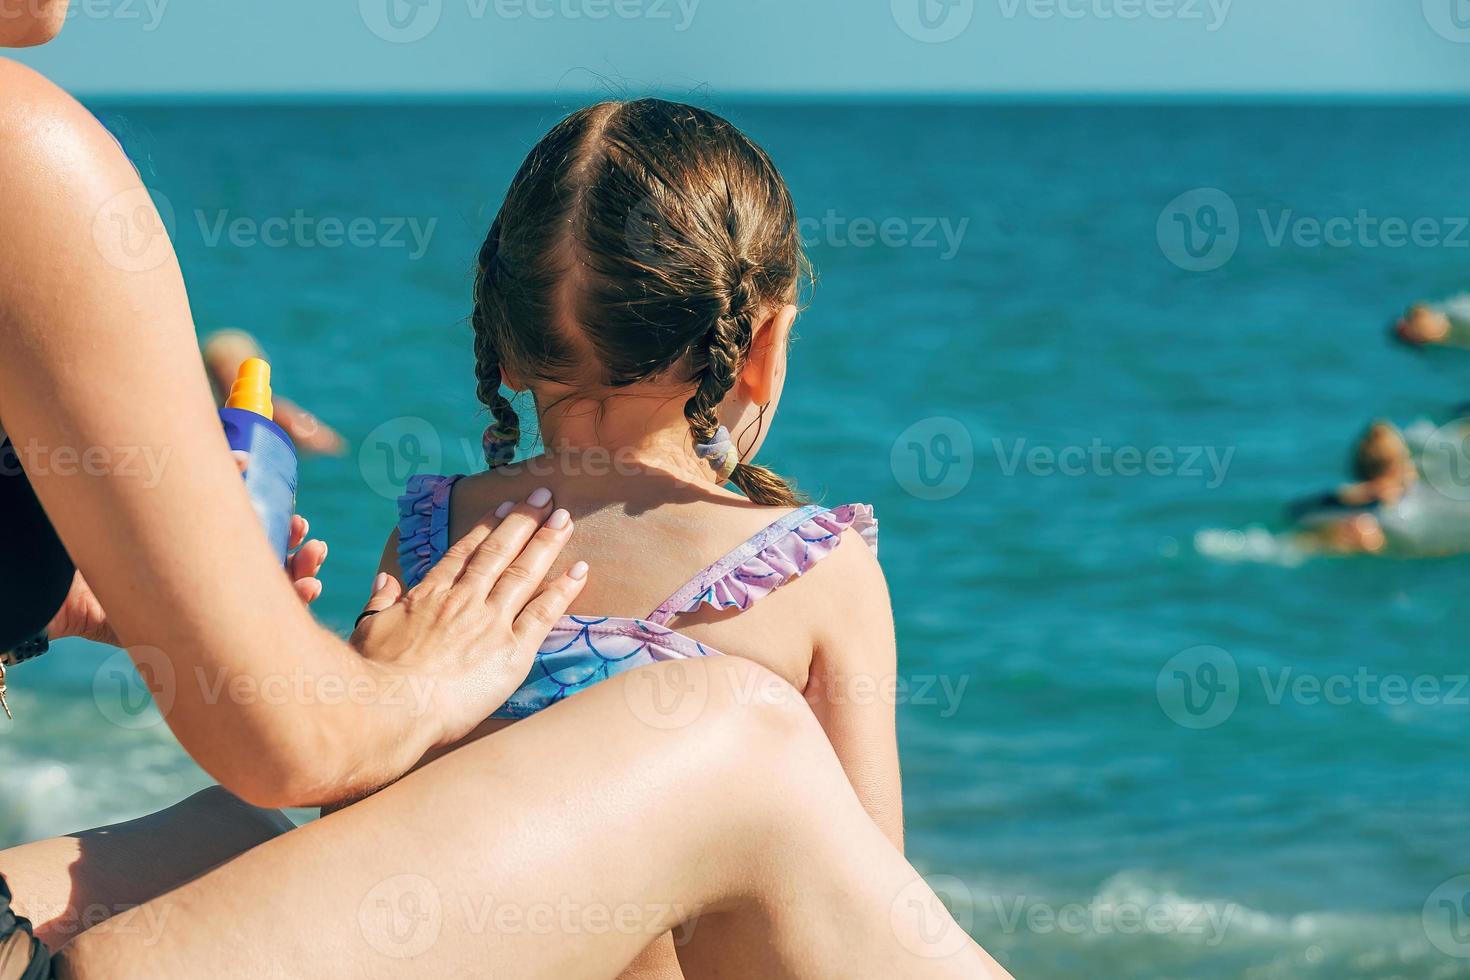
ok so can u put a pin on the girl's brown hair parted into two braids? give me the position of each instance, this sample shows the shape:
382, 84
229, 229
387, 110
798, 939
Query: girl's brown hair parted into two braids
637, 240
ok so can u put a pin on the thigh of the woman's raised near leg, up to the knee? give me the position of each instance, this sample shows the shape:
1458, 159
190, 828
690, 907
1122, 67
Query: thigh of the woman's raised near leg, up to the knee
558, 849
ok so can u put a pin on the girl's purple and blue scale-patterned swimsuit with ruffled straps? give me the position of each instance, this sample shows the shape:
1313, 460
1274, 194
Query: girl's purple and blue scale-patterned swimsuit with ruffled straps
584, 650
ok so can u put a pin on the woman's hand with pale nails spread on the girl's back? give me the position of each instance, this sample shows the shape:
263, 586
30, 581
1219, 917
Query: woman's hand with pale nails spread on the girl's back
470, 631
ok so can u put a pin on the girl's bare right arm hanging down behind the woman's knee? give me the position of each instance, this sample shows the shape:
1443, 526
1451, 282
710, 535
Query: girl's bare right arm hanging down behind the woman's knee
852, 687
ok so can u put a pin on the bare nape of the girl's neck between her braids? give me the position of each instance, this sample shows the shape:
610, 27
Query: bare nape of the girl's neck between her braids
636, 430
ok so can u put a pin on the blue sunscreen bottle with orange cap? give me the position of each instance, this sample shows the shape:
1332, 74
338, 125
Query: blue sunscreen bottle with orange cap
251, 428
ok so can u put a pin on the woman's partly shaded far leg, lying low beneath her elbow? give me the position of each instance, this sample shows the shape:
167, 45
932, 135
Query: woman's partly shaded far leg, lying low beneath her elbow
68, 885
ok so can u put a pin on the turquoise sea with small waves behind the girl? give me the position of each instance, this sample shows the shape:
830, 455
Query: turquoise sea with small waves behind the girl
1127, 754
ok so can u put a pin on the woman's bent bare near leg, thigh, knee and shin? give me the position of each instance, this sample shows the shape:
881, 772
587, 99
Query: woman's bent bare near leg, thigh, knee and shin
562, 847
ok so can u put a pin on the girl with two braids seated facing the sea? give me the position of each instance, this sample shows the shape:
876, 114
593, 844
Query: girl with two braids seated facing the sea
640, 283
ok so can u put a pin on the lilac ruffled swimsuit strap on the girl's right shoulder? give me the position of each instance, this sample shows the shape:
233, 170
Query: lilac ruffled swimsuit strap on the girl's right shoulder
771, 559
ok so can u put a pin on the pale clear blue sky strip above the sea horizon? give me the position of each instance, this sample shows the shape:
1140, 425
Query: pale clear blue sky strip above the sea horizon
764, 46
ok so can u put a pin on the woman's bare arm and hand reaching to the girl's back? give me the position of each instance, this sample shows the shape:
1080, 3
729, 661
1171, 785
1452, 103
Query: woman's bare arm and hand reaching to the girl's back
104, 394
